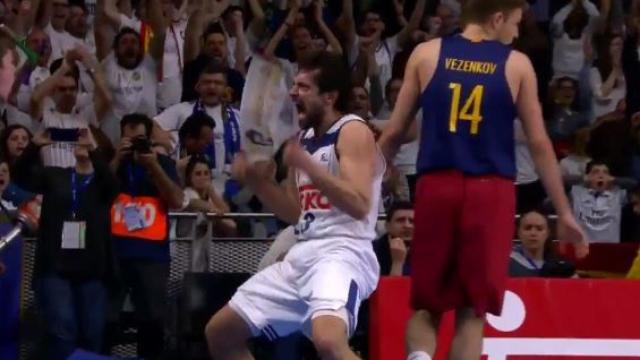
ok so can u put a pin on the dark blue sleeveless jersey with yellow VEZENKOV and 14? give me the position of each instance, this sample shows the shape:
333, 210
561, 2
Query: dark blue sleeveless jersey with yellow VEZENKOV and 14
468, 111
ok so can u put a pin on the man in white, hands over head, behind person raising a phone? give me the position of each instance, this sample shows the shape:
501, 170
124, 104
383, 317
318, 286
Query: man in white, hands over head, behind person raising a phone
56, 104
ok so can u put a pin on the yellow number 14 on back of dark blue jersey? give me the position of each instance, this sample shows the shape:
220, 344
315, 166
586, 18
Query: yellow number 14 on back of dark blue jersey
470, 110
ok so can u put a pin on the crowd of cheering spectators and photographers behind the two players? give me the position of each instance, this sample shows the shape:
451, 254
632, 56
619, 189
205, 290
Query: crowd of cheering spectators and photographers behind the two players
138, 103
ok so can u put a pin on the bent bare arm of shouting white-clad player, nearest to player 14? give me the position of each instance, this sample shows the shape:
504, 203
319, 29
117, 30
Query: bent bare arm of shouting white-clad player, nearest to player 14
351, 190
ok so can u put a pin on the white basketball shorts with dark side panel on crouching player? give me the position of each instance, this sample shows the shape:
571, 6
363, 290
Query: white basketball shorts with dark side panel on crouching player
315, 276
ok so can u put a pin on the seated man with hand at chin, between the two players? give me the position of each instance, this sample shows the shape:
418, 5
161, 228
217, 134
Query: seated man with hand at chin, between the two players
392, 248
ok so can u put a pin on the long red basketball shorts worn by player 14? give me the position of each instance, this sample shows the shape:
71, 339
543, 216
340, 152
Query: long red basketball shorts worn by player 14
464, 228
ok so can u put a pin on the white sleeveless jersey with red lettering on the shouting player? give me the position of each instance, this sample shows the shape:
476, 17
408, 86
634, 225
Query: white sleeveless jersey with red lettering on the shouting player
319, 219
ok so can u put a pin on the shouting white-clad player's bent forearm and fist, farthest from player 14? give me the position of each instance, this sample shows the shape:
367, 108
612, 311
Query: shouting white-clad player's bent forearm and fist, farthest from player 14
282, 200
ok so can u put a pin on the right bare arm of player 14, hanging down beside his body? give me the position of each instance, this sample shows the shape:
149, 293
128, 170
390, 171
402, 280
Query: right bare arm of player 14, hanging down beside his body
523, 82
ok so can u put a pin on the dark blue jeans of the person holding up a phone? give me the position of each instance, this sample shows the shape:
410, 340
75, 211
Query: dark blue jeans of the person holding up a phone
73, 314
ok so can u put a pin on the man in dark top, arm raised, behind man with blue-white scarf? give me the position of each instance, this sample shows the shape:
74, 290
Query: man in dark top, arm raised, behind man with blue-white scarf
206, 43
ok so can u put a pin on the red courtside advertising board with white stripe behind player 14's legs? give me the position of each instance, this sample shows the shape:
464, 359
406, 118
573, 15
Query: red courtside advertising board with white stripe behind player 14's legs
542, 318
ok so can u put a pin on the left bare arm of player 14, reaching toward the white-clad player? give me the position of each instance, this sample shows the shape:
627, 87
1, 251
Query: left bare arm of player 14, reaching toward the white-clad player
418, 73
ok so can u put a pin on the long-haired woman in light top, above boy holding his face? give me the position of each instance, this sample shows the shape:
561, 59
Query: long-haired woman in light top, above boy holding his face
607, 77
